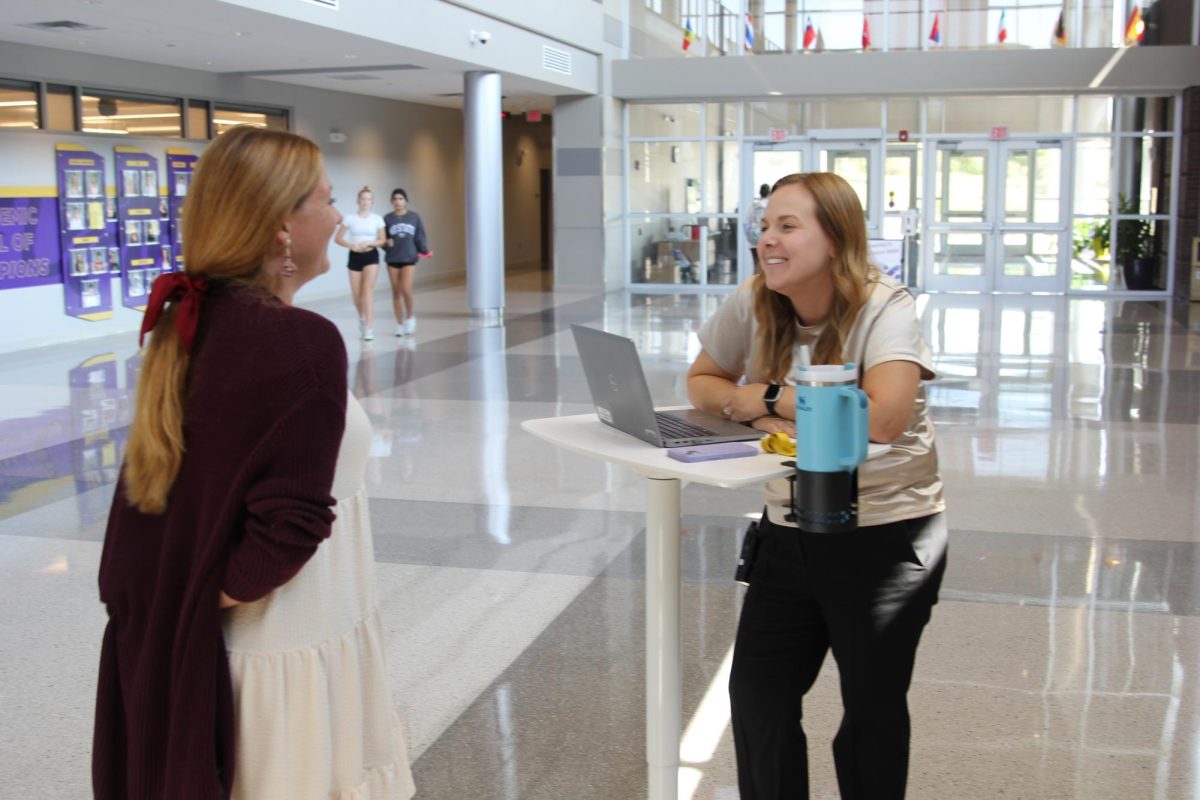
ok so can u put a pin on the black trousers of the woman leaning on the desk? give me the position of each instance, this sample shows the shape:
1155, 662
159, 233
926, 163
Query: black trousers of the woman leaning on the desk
866, 596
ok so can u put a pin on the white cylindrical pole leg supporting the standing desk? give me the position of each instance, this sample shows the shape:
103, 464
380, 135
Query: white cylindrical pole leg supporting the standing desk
664, 681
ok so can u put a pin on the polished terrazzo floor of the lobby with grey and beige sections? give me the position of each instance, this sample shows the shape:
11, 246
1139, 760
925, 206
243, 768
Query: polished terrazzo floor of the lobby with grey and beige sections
1061, 664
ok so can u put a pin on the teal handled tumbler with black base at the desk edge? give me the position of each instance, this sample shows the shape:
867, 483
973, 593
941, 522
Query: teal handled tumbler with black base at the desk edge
831, 443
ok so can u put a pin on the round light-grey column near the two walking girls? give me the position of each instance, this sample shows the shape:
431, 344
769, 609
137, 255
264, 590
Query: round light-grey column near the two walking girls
485, 197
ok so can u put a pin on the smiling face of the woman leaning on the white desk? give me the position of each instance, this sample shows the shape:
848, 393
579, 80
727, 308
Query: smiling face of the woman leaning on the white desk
795, 252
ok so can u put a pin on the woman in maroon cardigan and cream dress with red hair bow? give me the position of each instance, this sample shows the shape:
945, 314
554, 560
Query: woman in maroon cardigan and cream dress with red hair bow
226, 603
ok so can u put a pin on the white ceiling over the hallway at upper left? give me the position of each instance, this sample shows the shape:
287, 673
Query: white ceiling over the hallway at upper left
220, 38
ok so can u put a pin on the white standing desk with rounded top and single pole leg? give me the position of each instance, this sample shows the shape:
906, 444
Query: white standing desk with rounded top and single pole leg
587, 436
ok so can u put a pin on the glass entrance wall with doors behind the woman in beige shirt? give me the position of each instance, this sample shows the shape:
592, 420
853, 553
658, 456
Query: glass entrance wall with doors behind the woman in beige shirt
1069, 189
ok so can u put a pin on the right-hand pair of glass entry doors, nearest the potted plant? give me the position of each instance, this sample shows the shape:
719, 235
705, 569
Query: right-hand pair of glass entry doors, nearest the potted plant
998, 218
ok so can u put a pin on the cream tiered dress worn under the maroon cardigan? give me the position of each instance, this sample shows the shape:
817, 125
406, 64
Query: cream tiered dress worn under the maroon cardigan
315, 718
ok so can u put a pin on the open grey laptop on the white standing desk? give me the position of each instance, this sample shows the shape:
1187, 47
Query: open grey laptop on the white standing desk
623, 399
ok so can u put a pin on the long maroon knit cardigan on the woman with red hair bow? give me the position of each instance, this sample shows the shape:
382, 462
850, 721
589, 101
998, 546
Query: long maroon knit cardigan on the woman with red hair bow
265, 414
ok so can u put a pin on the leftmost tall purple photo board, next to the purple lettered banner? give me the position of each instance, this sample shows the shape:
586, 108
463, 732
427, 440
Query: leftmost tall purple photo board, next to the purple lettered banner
87, 290
